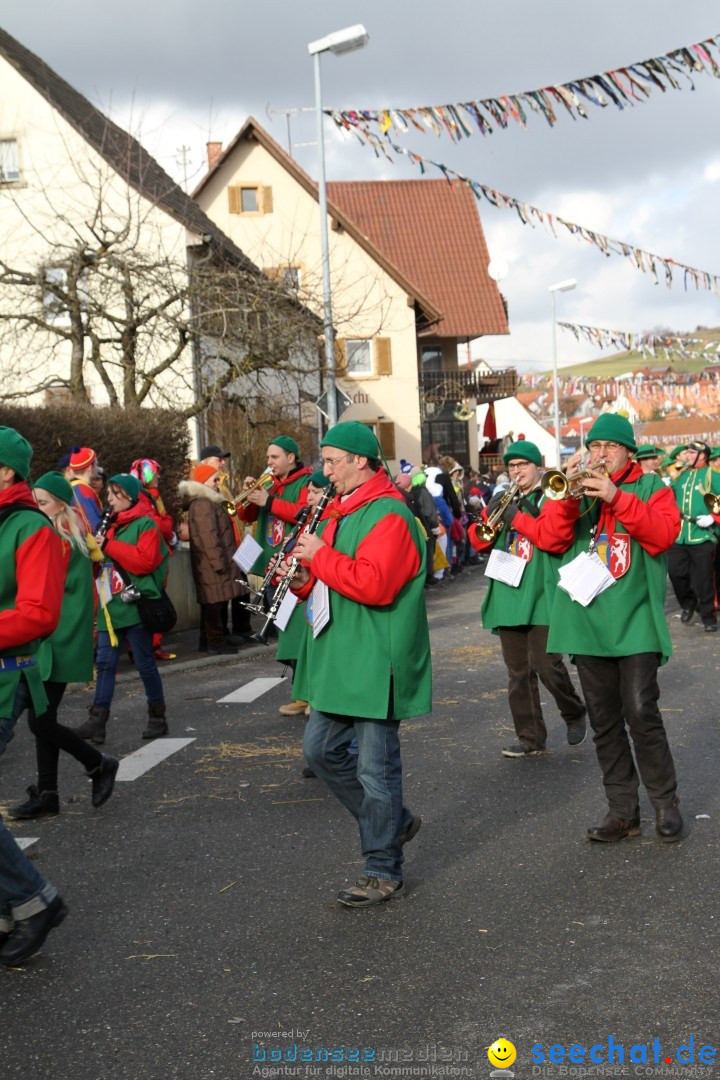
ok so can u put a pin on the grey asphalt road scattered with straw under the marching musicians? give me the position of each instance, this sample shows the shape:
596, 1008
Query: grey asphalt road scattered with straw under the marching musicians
202, 897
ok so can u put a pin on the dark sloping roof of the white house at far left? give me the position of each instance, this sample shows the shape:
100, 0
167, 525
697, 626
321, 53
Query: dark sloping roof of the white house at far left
121, 152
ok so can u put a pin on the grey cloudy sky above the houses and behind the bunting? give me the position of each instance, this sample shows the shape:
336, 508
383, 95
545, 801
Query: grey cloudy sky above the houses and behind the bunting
181, 73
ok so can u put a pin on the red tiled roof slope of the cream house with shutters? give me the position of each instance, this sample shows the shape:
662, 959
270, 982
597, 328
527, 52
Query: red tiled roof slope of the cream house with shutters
432, 233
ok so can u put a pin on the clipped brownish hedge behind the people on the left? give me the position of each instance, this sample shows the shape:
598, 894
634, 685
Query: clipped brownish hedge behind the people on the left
118, 437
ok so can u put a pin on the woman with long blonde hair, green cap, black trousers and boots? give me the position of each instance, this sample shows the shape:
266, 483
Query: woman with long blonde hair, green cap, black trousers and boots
65, 657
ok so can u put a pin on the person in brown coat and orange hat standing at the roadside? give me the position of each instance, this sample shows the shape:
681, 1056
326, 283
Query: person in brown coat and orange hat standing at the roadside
212, 548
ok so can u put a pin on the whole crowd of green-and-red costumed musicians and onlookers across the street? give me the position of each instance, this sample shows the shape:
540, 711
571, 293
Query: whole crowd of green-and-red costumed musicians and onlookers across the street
342, 559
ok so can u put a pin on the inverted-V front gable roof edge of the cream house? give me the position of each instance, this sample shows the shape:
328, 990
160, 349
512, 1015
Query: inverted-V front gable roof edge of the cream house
253, 132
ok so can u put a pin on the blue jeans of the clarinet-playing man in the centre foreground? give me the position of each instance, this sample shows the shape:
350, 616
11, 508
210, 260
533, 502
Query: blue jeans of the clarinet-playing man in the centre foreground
369, 785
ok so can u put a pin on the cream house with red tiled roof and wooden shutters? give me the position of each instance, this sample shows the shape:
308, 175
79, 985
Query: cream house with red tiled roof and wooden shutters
409, 269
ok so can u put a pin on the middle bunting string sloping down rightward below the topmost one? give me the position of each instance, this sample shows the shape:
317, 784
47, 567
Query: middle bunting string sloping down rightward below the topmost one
646, 262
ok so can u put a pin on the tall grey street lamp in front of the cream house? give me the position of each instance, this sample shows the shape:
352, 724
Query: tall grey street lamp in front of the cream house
339, 43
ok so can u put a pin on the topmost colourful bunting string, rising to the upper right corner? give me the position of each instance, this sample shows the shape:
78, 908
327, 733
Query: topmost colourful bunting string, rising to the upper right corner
623, 88
